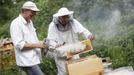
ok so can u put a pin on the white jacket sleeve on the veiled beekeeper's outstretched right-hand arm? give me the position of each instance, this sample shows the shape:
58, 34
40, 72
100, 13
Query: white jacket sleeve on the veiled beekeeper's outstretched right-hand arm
78, 28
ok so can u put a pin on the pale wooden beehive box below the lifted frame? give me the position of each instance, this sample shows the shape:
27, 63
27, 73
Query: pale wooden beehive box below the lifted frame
85, 66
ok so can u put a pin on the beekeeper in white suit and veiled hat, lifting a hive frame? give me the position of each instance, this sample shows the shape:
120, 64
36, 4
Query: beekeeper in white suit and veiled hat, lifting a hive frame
64, 30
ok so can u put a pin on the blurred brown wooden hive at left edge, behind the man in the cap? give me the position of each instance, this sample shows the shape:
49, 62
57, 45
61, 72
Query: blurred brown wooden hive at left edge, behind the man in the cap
6, 52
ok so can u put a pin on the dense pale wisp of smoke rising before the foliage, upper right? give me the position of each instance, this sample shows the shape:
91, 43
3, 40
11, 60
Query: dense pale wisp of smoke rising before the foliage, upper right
112, 24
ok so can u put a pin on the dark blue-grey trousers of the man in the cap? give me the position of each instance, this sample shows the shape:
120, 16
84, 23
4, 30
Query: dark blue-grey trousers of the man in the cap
32, 70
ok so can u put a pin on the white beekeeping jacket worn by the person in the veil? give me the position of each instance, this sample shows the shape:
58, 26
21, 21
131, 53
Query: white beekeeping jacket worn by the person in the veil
68, 37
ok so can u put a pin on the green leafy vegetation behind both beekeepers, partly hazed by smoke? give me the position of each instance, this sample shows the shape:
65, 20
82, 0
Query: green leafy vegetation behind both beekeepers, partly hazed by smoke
111, 21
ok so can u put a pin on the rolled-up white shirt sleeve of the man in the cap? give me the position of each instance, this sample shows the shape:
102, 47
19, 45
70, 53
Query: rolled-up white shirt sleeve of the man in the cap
17, 35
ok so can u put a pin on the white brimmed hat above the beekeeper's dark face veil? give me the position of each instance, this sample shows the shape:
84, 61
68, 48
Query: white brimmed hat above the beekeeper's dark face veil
62, 12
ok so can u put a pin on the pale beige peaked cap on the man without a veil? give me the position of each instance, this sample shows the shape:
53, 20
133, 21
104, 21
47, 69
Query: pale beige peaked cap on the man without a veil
30, 5
